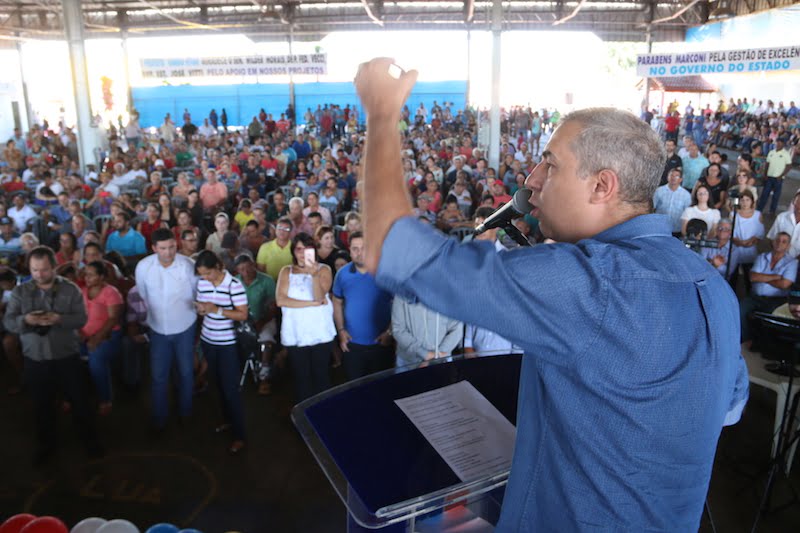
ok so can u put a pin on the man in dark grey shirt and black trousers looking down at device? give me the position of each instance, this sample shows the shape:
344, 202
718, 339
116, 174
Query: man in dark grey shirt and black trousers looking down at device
47, 312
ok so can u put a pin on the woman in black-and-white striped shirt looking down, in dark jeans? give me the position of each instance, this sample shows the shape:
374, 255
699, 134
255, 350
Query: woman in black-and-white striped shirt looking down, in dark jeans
221, 299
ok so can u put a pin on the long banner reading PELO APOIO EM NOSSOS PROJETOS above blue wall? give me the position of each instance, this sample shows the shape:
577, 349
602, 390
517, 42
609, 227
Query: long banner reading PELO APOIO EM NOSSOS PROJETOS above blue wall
234, 66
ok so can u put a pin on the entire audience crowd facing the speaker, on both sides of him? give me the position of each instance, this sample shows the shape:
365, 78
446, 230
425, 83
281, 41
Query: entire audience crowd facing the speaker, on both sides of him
176, 237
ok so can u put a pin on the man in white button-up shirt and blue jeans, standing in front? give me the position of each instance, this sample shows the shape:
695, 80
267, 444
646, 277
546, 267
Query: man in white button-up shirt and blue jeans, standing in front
167, 283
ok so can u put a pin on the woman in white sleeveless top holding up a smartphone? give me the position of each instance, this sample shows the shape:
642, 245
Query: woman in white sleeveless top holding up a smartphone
307, 329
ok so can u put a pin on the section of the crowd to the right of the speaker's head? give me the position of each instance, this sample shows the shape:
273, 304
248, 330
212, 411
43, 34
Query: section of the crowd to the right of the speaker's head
724, 209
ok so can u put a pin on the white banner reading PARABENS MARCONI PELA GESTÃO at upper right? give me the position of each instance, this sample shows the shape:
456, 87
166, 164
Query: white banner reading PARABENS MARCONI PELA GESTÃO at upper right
719, 62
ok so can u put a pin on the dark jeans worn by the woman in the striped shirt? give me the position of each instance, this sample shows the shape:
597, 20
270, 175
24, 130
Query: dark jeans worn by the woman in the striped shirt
223, 362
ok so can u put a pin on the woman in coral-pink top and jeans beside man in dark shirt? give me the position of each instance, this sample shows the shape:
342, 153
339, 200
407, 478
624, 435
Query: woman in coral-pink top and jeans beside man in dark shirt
101, 336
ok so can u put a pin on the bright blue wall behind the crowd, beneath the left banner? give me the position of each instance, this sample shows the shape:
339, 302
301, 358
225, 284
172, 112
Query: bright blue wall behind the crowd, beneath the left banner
243, 101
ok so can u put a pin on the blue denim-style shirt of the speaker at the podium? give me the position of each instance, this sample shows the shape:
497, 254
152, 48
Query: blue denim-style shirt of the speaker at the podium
632, 366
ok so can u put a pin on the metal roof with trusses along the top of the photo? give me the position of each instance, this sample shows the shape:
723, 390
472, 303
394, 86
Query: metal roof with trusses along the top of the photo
272, 19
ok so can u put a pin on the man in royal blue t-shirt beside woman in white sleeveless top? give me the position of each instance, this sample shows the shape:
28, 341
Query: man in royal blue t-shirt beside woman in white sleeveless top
363, 314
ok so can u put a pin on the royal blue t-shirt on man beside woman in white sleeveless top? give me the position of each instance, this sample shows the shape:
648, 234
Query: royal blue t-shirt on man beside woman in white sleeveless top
367, 308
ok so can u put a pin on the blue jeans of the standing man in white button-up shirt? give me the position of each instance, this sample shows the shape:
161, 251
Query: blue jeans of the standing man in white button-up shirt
166, 350
